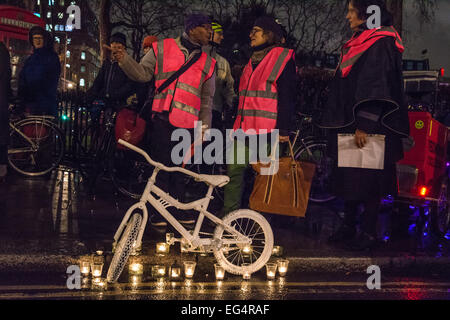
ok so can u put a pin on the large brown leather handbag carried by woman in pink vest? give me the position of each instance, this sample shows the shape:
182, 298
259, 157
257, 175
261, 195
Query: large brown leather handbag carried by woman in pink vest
287, 191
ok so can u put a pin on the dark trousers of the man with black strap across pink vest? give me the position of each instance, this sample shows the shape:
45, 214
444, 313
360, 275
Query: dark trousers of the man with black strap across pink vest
160, 150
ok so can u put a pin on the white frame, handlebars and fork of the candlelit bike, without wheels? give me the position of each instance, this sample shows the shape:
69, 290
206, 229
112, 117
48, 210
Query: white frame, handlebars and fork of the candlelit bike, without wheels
165, 201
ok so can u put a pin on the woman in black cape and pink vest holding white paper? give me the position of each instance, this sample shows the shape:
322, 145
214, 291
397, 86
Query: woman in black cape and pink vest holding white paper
366, 99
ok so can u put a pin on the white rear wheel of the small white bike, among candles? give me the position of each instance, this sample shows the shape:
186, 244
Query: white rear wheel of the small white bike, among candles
252, 225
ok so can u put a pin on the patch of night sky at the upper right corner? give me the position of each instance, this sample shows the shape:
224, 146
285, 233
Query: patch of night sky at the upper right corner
434, 36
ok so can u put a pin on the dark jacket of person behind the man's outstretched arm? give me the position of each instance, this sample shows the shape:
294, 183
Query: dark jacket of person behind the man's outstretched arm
112, 84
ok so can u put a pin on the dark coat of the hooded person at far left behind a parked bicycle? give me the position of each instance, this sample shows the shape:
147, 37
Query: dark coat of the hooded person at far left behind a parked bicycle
38, 81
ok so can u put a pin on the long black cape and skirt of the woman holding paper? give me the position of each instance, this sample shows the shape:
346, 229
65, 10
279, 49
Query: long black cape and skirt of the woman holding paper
371, 99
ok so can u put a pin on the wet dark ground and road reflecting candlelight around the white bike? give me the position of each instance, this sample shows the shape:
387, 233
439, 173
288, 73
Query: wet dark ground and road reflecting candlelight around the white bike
55, 216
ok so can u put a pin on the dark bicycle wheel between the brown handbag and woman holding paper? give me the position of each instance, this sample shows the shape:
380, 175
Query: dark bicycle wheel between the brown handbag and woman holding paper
316, 152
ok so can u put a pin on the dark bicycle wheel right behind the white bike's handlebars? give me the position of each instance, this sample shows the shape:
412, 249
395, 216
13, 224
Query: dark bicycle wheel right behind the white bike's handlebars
129, 173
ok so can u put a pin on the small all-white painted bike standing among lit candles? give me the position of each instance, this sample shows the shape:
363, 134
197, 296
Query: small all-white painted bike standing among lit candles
242, 237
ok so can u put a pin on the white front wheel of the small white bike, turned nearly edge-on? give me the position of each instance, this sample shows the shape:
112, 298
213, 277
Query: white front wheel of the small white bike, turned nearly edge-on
124, 248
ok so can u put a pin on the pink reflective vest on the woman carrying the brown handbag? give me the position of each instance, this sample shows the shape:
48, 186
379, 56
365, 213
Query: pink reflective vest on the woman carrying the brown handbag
258, 94
